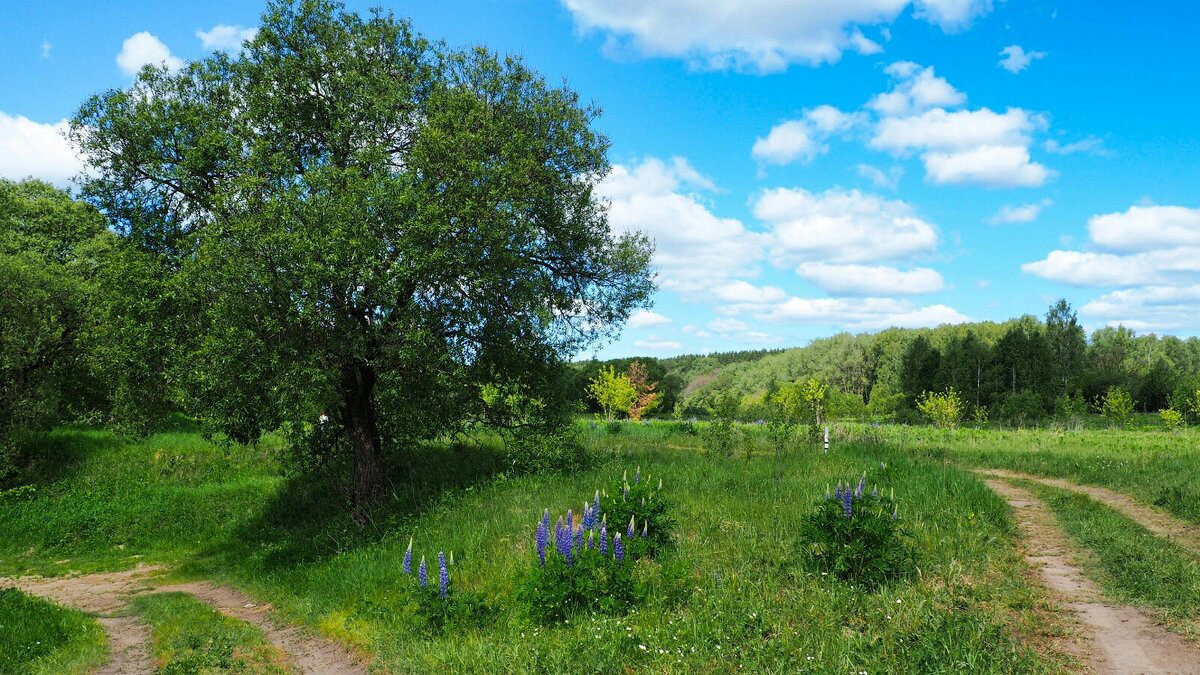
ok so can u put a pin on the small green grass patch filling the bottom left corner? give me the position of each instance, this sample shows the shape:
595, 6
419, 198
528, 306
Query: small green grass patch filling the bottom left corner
41, 638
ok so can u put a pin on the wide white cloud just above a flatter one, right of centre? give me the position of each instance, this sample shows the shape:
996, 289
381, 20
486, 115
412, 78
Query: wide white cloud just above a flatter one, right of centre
842, 226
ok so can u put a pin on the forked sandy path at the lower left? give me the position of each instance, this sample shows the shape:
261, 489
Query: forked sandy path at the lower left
109, 595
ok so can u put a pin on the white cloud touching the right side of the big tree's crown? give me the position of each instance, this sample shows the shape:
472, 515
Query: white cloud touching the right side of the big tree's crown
695, 250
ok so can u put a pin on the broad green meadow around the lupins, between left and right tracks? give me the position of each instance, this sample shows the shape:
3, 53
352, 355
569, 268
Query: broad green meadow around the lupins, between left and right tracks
745, 600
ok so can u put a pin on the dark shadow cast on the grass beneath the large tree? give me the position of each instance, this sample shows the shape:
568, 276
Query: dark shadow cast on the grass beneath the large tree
309, 519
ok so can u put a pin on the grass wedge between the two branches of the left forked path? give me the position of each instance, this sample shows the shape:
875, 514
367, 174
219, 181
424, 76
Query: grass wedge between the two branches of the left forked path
193, 638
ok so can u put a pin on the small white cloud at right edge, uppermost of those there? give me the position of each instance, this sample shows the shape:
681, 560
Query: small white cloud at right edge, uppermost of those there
1143, 229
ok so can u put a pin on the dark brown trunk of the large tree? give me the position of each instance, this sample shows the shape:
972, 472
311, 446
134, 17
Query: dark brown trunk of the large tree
358, 393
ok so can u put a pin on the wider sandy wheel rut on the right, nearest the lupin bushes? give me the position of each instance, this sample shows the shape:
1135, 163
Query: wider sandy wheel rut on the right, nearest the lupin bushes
1123, 640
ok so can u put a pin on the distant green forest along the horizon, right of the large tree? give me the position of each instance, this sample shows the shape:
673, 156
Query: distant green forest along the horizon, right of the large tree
1019, 371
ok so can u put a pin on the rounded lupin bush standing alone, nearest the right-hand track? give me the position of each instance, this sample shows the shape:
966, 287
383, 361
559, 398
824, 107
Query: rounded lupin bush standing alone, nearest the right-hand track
856, 536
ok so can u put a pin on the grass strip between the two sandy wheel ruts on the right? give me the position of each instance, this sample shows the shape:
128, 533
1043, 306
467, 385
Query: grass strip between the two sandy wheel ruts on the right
1131, 564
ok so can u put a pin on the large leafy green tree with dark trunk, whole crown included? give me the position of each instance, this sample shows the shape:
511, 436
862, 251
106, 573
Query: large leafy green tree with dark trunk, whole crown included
362, 225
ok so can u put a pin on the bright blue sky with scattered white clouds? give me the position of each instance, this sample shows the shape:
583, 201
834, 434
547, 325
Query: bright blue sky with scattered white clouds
805, 168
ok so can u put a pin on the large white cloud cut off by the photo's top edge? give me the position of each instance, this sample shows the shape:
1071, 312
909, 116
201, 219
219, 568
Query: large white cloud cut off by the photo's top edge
755, 35
